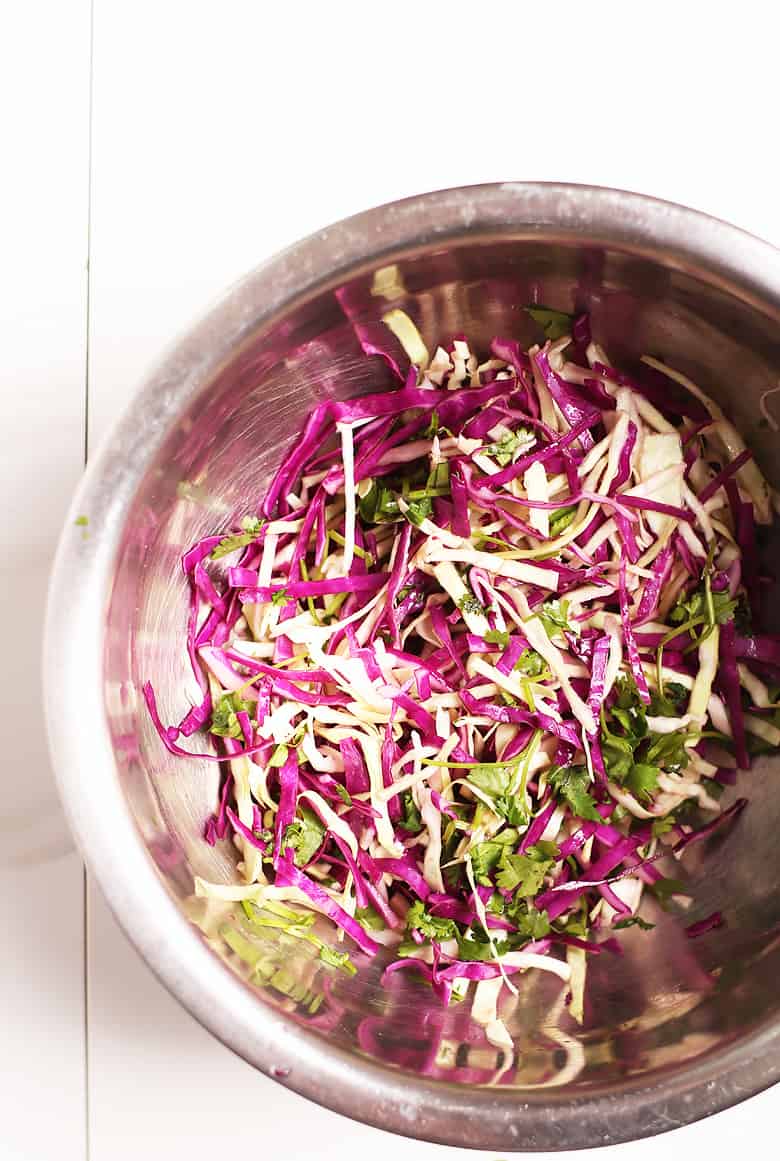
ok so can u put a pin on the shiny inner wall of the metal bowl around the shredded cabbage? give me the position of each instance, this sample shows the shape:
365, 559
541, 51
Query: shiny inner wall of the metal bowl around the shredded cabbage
668, 1000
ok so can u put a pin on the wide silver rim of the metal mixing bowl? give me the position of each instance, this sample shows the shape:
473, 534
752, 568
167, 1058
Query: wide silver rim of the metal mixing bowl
74, 666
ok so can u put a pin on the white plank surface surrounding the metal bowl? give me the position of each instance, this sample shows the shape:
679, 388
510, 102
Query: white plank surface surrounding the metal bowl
213, 135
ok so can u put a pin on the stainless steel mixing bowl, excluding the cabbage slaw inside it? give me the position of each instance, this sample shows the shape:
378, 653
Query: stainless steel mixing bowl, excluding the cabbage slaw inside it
675, 1030
